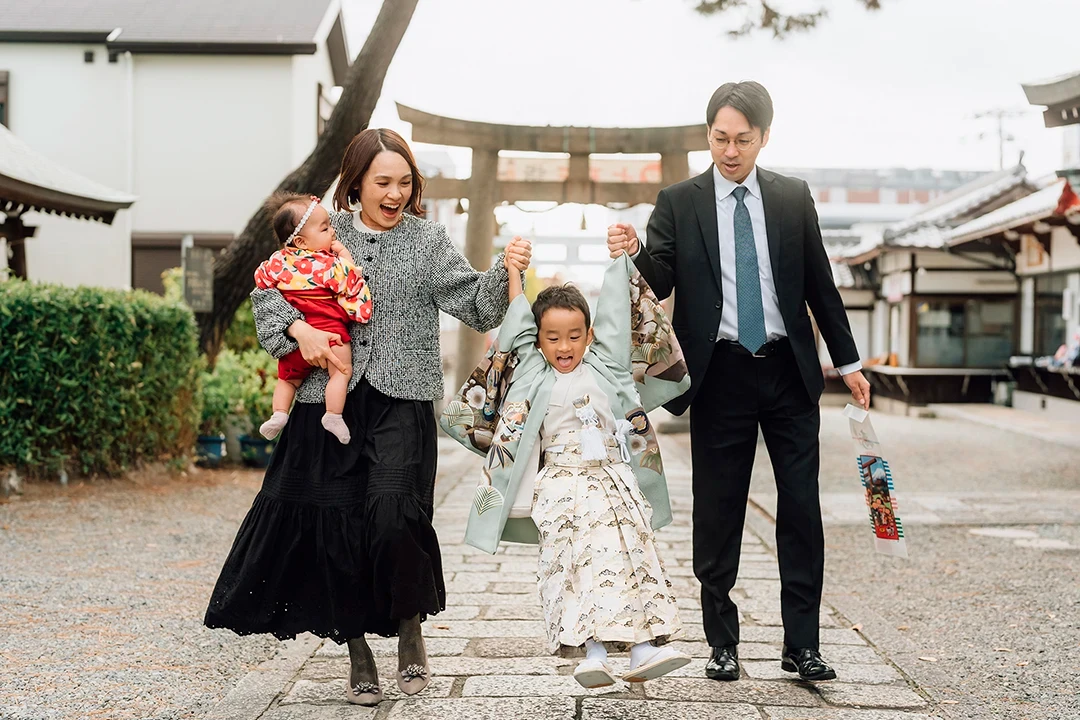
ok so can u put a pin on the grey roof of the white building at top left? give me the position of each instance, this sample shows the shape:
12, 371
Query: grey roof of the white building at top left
232, 22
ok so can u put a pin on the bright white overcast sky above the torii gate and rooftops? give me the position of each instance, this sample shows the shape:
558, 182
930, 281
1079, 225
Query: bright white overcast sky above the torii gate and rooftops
896, 88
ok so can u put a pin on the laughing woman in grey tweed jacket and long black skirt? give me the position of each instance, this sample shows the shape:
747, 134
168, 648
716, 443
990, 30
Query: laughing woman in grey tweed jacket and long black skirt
340, 541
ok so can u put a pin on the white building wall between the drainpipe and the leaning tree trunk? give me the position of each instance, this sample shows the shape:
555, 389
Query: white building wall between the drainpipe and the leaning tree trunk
213, 138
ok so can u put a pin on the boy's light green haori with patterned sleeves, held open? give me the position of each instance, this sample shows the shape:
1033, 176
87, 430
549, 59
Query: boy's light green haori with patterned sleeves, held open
636, 360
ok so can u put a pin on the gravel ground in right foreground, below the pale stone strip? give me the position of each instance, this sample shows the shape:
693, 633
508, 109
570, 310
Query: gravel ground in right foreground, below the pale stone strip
988, 628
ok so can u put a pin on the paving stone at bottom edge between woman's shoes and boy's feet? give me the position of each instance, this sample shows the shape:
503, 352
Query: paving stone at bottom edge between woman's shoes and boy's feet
485, 709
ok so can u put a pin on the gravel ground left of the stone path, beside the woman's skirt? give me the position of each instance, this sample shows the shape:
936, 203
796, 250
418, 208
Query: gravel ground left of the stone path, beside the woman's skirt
103, 589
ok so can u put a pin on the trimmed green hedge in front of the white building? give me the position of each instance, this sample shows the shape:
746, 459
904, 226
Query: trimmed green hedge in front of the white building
94, 381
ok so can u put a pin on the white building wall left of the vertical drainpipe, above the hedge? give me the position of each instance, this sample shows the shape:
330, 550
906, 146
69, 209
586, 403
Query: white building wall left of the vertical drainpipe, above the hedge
74, 113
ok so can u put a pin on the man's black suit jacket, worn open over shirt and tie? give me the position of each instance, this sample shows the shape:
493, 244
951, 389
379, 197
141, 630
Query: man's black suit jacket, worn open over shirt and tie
684, 255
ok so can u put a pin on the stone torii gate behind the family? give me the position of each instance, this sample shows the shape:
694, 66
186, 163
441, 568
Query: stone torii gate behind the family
485, 192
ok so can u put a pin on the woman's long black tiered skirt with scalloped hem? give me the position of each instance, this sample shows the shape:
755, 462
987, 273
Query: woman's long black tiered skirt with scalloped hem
340, 541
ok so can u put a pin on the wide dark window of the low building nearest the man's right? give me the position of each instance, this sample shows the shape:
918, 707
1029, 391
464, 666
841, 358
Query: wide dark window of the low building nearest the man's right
965, 333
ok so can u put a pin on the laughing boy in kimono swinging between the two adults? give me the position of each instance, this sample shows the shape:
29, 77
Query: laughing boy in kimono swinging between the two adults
559, 409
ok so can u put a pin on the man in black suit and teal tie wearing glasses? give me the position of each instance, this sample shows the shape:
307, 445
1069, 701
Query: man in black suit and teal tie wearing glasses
742, 250
